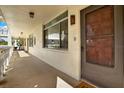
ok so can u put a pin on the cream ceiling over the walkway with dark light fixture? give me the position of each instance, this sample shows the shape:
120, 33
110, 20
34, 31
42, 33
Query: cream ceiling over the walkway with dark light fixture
18, 20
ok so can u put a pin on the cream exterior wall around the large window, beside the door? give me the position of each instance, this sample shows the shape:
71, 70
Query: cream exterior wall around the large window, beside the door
68, 61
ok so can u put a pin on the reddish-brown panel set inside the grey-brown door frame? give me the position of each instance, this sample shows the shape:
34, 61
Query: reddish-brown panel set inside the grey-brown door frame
99, 36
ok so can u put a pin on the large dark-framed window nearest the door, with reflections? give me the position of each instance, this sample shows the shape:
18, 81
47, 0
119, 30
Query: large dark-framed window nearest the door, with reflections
56, 34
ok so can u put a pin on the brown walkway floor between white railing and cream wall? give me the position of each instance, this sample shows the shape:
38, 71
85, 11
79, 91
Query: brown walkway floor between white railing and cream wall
29, 72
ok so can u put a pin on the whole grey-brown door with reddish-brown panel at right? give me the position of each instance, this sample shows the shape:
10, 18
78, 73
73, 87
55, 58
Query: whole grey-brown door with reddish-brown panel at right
102, 45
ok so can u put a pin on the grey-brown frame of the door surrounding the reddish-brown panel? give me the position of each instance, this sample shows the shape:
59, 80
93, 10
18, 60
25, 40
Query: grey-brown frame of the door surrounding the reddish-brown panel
97, 78
